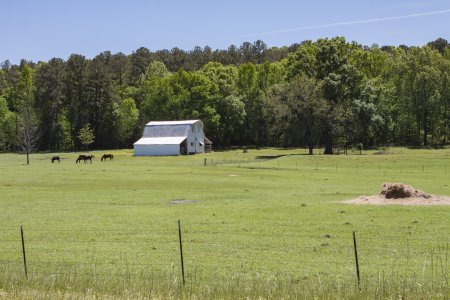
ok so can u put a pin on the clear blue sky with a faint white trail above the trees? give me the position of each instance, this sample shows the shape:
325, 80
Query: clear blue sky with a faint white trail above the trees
43, 29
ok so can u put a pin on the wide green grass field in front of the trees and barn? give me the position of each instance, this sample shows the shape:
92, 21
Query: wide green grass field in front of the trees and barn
267, 224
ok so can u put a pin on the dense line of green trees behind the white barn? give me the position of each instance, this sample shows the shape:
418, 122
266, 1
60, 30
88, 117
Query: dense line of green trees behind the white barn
326, 92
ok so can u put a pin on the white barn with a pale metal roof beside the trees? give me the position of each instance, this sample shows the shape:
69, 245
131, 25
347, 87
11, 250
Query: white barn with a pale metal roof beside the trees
171, 138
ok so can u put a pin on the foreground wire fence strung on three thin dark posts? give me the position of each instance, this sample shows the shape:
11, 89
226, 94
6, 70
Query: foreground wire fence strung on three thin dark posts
190, 254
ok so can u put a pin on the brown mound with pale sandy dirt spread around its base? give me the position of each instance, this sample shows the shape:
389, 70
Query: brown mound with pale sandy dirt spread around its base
401, 194
